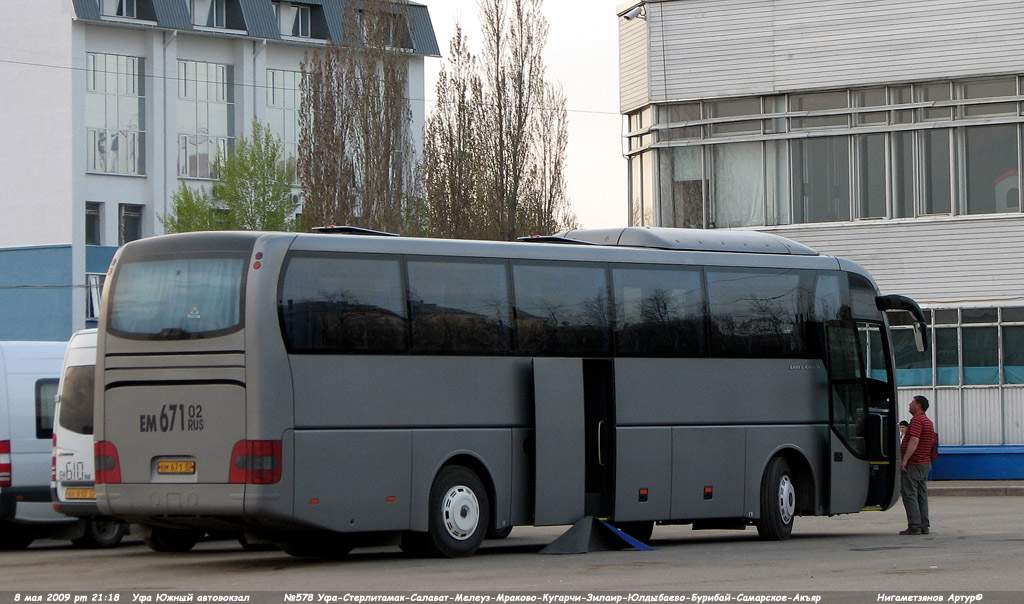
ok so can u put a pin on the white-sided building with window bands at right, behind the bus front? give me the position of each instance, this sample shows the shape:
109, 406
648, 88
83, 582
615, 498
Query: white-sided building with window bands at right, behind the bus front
885, 132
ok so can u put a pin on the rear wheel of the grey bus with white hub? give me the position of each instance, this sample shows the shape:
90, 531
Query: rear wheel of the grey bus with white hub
459, 513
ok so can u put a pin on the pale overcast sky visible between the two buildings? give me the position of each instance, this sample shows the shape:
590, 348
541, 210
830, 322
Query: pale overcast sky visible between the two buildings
582, 55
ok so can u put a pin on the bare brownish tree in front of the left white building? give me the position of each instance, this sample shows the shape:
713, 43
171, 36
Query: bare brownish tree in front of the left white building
356, 156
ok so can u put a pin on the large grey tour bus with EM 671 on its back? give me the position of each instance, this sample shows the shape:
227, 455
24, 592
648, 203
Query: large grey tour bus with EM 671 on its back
325, 392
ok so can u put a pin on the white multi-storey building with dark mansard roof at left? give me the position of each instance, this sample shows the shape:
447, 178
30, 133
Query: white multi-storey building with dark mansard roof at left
106, 106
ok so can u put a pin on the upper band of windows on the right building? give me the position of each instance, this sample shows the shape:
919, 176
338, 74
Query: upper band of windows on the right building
931, 149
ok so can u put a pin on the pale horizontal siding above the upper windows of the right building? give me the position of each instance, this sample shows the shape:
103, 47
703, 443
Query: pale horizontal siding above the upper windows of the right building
703, 49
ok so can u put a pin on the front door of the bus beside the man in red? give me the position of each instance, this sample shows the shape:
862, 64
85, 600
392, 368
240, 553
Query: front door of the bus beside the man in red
861, 418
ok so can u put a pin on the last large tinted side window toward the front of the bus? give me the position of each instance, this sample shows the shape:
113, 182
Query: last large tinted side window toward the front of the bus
759, 313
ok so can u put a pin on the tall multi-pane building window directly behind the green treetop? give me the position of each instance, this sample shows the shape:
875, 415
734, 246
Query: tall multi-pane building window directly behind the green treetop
206, 117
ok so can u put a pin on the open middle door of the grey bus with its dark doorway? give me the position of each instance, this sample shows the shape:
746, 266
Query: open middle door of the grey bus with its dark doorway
574, 440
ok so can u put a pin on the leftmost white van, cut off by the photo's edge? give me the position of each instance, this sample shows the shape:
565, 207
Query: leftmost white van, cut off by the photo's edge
30, 373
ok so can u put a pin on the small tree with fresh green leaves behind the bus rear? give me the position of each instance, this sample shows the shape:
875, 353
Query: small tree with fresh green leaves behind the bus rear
253, 192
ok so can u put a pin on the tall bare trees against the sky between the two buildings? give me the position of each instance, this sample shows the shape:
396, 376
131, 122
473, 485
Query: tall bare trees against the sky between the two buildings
496, 145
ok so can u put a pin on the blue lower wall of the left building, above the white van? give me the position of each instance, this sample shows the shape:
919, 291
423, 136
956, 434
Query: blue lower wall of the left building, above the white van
36, 293
